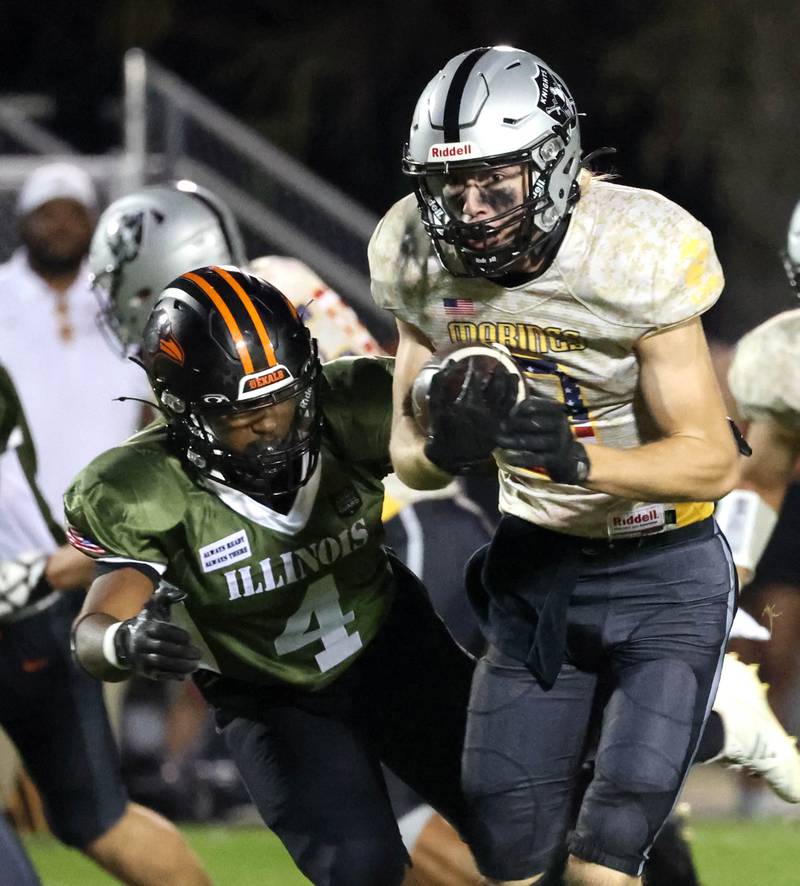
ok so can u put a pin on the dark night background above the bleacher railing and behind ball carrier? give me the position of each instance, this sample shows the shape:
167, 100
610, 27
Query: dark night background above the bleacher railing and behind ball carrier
699, 97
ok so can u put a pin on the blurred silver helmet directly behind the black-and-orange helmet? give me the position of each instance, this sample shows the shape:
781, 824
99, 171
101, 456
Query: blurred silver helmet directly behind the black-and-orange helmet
144, 240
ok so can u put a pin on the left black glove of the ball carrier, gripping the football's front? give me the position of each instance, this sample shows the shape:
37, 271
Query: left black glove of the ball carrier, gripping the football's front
462, 430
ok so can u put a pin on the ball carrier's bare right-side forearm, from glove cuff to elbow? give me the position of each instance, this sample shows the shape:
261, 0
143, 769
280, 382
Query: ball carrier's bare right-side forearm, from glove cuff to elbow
678, 468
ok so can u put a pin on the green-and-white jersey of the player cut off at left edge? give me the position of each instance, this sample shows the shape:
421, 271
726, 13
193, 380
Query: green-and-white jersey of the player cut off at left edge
26, 524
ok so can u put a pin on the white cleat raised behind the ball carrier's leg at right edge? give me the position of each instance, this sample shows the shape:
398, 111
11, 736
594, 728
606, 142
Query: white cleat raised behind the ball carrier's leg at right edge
754, 739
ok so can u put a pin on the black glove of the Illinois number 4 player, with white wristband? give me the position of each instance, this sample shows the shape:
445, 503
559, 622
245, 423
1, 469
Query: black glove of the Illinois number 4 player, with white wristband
151, 646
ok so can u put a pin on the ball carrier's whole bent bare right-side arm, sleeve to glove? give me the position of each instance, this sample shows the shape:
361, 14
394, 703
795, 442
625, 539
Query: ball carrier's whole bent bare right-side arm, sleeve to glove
694, 456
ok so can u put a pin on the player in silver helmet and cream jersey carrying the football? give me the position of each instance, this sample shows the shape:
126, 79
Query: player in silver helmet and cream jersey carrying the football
597, 289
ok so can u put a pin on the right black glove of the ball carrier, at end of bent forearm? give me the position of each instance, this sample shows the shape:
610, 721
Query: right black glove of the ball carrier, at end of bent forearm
537, 434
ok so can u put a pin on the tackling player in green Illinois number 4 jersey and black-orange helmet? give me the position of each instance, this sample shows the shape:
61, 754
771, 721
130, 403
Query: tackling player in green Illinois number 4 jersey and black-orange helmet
259, 497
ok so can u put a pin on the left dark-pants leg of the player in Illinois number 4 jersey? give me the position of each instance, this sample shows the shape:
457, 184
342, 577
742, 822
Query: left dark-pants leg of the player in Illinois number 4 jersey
320, 790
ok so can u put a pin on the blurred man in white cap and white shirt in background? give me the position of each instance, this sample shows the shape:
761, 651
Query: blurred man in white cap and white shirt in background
49, 339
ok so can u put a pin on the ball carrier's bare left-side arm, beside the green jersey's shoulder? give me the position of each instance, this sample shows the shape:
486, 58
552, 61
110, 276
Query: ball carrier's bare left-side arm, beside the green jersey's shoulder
407, 443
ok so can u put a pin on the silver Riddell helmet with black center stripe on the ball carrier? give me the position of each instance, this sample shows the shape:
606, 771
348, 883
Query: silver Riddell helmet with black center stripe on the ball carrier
490, 110
